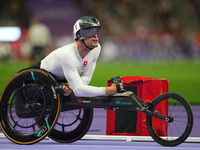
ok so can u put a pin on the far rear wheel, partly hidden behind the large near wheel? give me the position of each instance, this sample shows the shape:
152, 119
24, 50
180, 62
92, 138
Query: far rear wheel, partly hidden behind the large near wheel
72, 125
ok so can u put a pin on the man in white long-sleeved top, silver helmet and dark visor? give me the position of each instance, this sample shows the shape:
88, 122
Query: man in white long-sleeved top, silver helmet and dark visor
76, 62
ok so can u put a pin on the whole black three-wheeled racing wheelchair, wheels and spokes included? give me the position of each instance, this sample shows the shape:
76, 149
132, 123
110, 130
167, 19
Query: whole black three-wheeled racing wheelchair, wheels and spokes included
32, 107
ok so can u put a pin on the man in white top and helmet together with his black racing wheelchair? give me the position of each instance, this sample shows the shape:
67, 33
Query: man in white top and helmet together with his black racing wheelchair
30, 105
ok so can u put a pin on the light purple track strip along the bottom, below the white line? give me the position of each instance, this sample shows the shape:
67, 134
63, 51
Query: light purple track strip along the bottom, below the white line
95, 145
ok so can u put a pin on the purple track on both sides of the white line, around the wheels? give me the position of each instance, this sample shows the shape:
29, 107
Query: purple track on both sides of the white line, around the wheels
99, 128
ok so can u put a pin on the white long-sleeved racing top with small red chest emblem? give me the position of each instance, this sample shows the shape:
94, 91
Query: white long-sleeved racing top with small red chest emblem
66, 63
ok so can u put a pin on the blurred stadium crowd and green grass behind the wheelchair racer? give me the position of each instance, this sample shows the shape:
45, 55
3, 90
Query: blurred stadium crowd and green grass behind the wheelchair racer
156, 38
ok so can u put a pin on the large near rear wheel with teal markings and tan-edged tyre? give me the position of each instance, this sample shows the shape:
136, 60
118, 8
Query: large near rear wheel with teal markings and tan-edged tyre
29, 98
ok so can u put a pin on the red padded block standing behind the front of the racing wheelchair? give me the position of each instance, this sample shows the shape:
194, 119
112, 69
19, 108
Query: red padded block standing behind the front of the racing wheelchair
147, 89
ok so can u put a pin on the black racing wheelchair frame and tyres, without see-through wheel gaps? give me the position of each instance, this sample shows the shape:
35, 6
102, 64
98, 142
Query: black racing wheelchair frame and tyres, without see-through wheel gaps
126, 101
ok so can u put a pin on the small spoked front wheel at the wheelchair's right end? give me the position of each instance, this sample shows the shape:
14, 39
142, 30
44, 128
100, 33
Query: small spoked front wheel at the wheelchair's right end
175, 132
